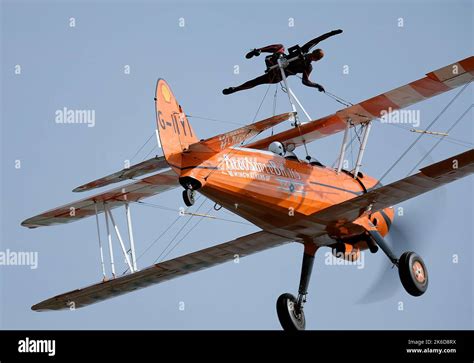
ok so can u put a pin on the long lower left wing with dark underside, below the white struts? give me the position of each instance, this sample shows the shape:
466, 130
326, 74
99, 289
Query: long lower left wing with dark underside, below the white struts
163, 271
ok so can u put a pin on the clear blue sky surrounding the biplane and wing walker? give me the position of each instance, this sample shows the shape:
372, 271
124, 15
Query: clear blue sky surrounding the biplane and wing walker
82, 68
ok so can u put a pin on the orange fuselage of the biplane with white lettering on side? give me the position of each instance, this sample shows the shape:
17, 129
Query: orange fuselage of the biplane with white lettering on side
281, 195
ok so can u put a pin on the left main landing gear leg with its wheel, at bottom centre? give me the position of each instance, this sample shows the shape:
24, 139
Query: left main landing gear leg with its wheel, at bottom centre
290, 309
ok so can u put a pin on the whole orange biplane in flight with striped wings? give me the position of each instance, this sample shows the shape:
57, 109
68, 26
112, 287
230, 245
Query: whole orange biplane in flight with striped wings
263, 181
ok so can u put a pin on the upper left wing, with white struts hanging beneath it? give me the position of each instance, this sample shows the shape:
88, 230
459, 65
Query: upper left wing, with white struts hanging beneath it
132, 192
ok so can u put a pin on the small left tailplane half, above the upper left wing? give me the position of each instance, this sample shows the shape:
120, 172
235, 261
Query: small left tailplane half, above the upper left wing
146, 167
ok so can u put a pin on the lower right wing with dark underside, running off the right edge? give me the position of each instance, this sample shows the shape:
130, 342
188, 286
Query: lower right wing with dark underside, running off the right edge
429, 178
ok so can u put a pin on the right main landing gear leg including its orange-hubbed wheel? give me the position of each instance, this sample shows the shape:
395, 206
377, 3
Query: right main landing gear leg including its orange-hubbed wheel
411, 268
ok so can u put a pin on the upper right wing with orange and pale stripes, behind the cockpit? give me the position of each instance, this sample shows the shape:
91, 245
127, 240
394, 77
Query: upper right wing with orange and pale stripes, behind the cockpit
435, 83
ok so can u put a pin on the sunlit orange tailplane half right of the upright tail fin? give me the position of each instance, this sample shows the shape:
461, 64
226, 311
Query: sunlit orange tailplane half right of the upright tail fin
231, 138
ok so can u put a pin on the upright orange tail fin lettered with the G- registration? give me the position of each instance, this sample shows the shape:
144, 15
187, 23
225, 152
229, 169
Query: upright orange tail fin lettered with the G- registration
175, 131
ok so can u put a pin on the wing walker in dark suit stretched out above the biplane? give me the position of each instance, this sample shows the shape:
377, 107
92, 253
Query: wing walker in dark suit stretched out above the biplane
302, 65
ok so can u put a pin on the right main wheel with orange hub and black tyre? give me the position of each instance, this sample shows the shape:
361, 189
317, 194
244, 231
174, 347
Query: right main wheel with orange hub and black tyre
413, 273
